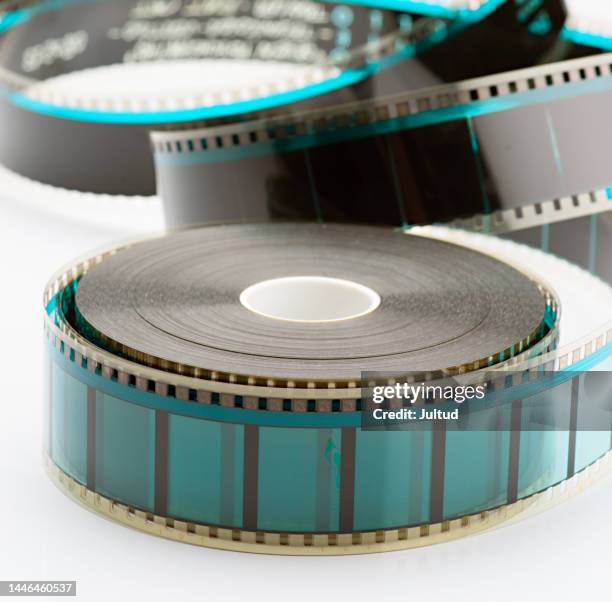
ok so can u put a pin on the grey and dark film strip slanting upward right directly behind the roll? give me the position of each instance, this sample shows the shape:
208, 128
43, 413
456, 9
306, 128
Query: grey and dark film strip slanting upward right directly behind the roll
512, 148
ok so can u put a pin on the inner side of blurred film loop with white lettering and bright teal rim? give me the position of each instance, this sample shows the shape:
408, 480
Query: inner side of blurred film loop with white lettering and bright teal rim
321, 40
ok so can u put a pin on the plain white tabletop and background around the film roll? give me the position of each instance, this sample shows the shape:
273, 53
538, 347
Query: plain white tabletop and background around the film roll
562, 554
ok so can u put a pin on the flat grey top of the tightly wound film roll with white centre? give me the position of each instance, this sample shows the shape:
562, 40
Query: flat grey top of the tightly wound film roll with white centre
190, 320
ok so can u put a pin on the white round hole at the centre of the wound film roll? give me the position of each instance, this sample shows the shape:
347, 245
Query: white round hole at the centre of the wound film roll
310, 299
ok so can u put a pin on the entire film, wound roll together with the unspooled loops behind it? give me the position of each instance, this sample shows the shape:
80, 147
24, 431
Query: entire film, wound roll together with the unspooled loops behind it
214, 386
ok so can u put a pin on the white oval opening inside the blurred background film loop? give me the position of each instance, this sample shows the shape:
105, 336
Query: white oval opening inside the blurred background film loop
187, 84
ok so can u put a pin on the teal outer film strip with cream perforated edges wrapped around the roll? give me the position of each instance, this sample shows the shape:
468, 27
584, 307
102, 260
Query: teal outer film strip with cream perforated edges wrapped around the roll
297, 467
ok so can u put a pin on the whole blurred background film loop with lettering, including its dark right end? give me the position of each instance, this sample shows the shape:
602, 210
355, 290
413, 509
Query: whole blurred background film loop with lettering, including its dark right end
321, 51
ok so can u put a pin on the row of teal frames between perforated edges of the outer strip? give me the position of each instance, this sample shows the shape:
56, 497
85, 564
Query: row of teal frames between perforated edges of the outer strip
290, 478
